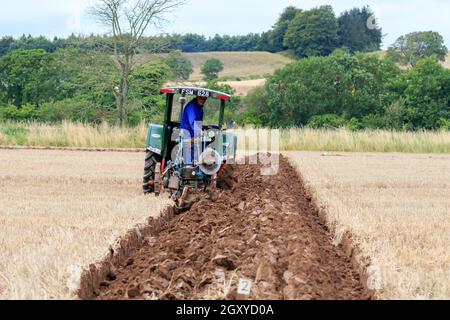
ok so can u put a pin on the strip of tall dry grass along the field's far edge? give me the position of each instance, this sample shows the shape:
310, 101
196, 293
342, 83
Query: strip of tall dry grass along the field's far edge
104, 136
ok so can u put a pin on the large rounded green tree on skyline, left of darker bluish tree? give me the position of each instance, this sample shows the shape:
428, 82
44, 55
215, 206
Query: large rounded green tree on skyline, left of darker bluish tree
313, 32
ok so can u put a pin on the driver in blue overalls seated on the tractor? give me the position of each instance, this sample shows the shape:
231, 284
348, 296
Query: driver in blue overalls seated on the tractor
191, 126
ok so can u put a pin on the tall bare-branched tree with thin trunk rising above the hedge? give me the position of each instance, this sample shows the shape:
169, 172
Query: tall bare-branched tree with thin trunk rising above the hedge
127, 21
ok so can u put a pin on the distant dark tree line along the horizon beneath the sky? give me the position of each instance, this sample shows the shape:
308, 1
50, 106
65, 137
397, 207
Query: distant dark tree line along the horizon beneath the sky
300, 32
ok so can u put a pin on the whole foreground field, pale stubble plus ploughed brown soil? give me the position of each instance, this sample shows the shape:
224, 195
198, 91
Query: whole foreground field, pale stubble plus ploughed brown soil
386, 215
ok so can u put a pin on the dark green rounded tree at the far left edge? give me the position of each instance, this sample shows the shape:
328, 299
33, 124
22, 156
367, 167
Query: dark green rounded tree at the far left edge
28, 76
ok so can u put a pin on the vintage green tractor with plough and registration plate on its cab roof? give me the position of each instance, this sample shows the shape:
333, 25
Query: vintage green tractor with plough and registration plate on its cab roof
166, 168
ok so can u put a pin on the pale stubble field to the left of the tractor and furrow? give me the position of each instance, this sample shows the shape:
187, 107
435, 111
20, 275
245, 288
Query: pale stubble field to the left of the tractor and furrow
60, 211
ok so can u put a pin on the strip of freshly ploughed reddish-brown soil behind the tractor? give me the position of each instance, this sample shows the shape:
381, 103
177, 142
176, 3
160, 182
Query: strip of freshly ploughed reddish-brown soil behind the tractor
264, 236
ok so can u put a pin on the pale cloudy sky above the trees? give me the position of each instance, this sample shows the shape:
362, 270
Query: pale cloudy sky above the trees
209, 17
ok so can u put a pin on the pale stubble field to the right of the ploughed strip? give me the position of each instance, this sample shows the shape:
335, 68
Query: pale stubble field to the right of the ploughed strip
397, 209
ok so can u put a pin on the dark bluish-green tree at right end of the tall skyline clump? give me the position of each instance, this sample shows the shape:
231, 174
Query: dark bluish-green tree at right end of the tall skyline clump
358, 30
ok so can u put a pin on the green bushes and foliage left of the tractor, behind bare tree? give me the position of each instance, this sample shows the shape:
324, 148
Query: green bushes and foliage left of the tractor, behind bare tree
83, 87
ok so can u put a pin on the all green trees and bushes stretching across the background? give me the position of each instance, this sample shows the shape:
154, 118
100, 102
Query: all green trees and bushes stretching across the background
334, 83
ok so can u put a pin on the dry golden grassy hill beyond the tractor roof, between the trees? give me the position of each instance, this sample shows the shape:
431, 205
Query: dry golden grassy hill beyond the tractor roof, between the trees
238, 65
